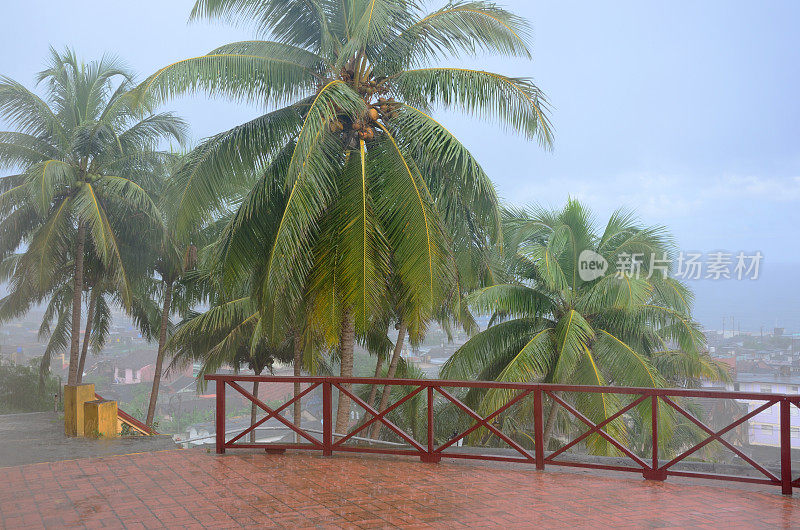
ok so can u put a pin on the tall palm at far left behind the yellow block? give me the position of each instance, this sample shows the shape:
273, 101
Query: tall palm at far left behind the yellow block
82, 157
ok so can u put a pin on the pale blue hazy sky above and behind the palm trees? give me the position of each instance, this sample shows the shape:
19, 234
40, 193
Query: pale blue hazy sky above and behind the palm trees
687, 111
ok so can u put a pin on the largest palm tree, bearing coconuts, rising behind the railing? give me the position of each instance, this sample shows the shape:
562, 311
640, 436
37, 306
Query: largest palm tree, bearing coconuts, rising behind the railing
356, 153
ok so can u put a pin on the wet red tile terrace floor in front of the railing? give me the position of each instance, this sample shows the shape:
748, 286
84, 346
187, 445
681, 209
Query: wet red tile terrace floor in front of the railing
193, 488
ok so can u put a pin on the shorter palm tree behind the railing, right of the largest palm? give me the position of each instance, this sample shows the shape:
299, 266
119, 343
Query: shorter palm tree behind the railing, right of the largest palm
633, 328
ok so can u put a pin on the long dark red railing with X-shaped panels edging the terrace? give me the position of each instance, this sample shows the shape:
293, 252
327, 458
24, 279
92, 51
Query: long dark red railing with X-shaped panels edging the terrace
654, 469
